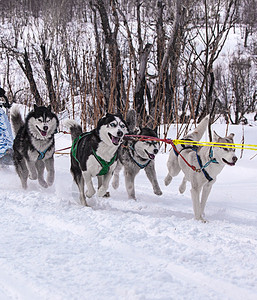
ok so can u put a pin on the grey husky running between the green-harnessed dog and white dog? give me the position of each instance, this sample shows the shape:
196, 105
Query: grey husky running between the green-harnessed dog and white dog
135, 155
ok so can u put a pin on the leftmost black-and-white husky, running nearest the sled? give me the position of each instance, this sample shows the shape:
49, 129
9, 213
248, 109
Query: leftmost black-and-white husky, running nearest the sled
34, 144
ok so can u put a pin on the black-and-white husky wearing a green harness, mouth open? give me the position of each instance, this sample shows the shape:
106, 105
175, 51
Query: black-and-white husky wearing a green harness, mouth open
94, 153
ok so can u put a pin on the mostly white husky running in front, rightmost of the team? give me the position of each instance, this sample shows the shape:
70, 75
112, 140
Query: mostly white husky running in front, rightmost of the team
209, 160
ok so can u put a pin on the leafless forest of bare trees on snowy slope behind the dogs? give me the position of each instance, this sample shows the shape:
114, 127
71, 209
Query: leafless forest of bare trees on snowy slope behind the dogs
162, 57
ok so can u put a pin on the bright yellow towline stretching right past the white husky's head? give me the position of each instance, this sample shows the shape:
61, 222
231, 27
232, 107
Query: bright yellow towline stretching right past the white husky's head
215, 144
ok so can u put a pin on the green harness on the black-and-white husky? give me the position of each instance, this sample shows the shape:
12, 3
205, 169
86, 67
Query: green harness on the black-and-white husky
105, 165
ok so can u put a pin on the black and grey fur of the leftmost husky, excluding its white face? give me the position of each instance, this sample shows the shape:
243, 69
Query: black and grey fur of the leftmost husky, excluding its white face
27, 147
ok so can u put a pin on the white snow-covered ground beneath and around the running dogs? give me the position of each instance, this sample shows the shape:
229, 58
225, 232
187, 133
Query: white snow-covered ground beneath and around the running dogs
152, 248
